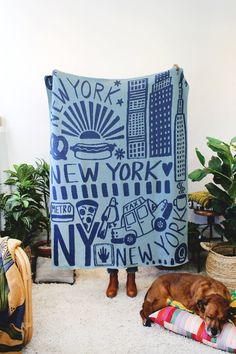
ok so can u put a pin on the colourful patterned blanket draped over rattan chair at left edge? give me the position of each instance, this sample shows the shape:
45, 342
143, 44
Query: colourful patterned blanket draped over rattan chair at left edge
12, 302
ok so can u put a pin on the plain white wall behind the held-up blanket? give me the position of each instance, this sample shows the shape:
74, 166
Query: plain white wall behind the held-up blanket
111, 38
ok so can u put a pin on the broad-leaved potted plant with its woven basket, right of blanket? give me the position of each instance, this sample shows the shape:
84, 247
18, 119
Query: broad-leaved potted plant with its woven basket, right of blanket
221, 260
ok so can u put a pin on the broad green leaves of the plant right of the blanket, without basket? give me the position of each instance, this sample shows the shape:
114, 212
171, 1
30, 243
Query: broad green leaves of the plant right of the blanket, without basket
222, 167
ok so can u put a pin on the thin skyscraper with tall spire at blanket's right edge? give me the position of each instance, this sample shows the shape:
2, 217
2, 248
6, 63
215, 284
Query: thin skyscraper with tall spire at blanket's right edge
180, 140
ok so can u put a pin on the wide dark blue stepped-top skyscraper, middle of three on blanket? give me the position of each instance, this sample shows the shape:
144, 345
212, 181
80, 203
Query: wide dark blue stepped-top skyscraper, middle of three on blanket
160, 115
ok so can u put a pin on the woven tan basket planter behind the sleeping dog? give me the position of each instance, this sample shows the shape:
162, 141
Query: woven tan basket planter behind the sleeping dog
221, 262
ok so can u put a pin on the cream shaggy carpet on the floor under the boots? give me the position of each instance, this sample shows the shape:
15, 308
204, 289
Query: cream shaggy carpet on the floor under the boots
80, 319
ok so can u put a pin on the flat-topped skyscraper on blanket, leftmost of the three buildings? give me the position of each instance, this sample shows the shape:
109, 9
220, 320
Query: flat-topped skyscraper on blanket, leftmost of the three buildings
136, 119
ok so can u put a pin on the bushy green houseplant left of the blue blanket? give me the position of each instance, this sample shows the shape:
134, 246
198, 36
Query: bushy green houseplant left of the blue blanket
25, 206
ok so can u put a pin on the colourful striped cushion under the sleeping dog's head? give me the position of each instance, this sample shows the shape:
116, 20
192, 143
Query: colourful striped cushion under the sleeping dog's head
176, 319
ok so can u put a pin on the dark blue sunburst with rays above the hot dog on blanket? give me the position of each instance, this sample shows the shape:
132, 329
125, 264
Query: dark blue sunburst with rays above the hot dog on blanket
83, 120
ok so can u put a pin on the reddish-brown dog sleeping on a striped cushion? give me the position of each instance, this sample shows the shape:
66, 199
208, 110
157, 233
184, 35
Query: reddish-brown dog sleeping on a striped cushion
207, 297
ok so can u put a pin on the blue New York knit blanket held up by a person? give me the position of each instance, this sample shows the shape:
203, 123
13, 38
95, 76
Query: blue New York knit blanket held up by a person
118, 170
